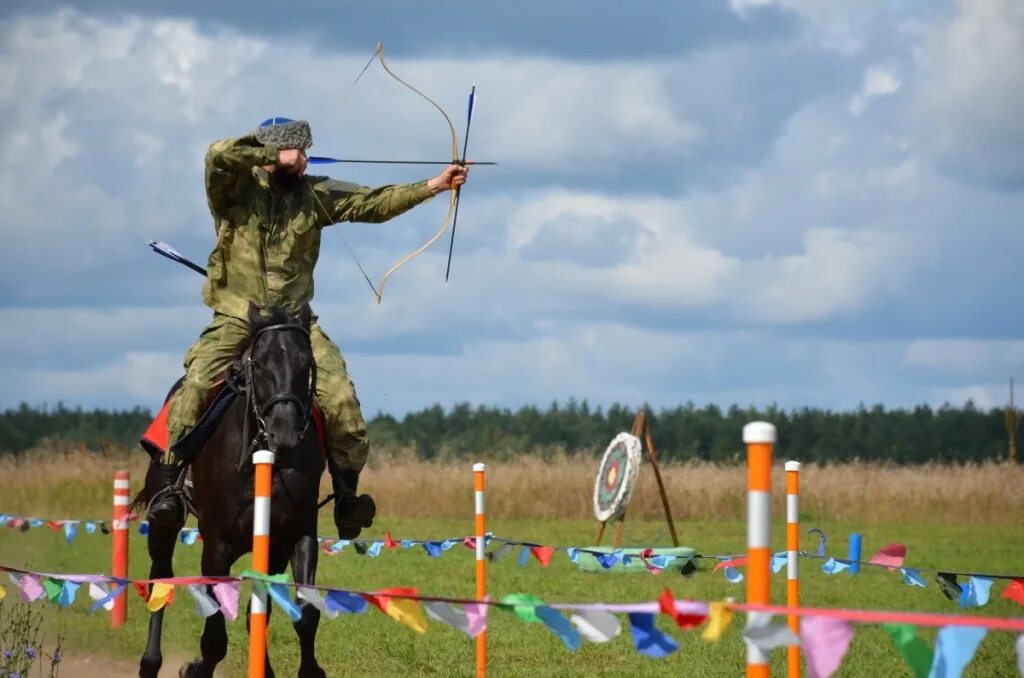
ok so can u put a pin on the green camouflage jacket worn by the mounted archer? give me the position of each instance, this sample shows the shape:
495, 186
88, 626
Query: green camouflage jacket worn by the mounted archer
269, 240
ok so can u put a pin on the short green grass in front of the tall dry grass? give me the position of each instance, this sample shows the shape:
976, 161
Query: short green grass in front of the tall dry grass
374, 645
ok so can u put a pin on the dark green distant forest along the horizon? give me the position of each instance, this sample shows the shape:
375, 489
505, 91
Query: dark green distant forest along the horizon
906, 437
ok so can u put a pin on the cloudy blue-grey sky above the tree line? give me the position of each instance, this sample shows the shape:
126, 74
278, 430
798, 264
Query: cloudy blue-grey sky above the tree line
802, 202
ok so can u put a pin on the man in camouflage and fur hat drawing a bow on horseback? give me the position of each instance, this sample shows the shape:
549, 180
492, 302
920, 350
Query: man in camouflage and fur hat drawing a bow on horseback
269, 216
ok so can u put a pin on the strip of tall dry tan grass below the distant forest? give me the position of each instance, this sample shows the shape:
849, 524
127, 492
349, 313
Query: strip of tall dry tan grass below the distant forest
74, 483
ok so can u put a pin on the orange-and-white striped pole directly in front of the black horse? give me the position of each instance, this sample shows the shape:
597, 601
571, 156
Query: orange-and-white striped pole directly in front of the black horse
264, 461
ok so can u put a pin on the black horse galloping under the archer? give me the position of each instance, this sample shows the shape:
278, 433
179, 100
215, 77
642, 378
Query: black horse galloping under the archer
276, 377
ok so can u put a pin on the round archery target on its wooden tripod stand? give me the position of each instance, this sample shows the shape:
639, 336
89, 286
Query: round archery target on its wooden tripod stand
618, 476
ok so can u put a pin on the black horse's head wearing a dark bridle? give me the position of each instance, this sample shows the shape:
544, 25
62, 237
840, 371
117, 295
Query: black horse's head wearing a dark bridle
281, 375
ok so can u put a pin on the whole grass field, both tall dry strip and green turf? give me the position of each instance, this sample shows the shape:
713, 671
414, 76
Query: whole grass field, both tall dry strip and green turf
946, 529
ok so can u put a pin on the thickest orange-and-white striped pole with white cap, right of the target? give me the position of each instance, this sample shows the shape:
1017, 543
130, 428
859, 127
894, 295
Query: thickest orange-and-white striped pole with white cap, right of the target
759, 438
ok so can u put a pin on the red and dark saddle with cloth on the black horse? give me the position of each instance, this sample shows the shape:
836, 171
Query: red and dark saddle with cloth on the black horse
157, 439
